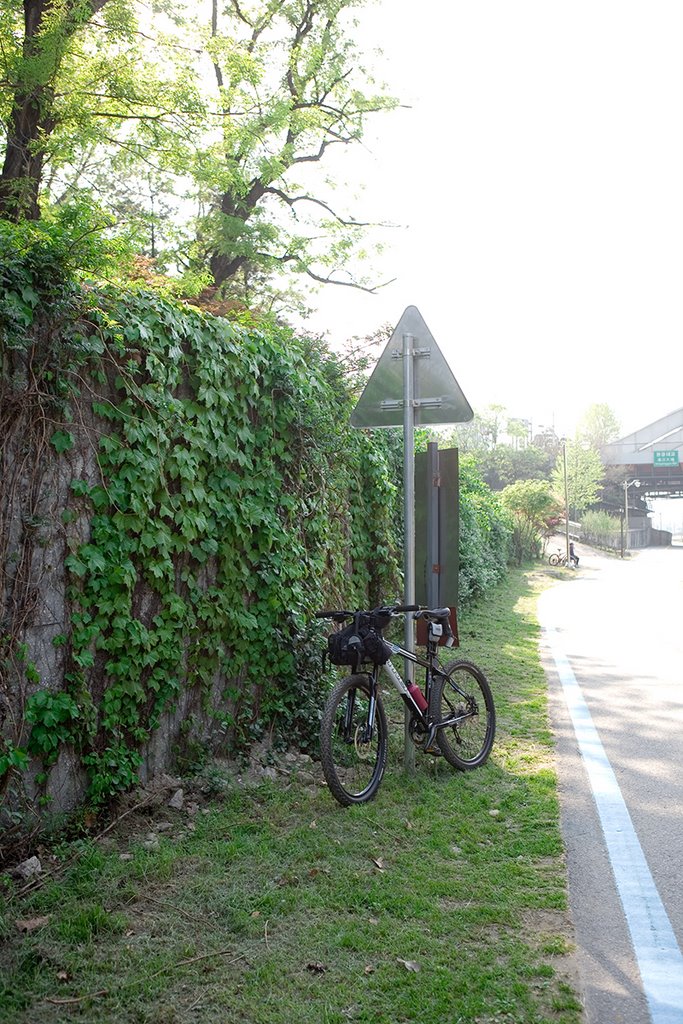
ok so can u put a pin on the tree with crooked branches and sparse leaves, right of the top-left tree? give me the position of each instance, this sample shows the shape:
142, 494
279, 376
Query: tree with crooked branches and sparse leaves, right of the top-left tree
291, 87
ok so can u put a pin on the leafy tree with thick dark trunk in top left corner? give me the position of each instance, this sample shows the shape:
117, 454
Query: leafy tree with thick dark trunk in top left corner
76, 77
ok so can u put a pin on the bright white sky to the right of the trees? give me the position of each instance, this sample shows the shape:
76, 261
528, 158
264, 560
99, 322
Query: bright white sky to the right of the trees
538, 178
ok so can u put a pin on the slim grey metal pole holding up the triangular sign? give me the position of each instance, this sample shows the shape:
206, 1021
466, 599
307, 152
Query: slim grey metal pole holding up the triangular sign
409, 525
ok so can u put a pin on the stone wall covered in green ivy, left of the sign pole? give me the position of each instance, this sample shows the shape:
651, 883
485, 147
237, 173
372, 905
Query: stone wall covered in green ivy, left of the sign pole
179, 495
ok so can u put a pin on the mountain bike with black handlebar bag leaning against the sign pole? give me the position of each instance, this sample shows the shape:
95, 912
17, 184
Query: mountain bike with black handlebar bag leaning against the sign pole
455, 715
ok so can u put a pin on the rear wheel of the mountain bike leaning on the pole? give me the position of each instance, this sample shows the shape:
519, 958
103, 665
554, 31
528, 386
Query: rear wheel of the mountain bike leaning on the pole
465, 689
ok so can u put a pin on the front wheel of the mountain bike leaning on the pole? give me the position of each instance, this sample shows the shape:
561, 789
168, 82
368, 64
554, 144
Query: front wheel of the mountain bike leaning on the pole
354, 759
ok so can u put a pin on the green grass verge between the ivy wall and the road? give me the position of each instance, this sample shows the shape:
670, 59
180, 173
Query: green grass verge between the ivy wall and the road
443, 901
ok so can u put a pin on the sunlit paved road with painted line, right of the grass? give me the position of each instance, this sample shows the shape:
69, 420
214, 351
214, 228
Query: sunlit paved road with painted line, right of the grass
615, 661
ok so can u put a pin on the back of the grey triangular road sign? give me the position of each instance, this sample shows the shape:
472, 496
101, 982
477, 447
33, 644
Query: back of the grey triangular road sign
438, 397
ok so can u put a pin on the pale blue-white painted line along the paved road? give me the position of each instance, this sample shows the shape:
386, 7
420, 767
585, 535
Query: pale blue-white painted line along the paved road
658, 954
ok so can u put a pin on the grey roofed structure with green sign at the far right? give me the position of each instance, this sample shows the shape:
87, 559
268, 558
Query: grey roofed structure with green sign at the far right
654, 454
